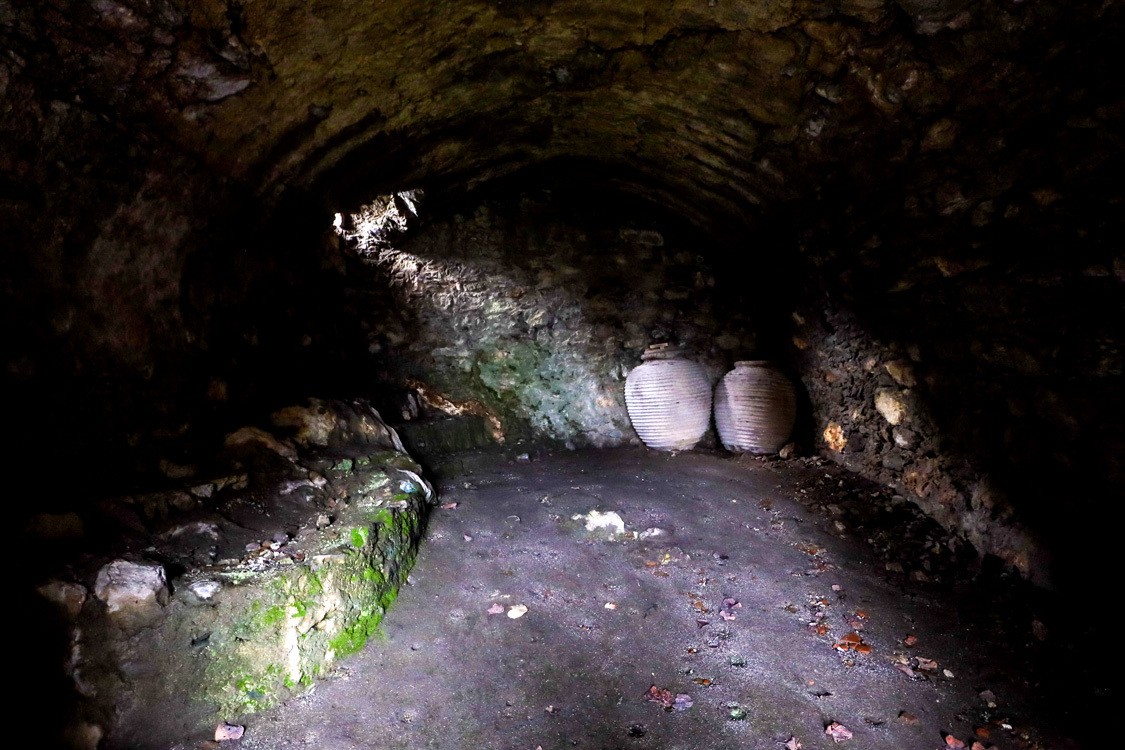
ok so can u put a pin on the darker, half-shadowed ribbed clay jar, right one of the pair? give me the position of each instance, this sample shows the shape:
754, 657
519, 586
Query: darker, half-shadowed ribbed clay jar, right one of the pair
755, 409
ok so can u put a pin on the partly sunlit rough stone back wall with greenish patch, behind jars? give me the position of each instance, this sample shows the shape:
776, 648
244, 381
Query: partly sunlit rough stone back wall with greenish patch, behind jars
539, 315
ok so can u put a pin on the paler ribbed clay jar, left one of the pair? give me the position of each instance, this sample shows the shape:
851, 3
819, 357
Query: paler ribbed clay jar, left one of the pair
669, 402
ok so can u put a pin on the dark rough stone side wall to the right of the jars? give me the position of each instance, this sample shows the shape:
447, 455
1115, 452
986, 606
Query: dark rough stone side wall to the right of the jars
973, 360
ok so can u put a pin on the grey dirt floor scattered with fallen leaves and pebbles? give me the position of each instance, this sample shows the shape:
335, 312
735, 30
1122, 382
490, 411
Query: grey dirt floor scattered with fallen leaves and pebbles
750, 603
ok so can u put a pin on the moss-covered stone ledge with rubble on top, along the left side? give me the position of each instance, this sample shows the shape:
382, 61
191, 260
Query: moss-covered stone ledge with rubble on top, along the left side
175, 626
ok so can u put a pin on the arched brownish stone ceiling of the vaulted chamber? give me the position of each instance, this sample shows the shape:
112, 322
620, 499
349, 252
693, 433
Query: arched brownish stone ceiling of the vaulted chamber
714, 107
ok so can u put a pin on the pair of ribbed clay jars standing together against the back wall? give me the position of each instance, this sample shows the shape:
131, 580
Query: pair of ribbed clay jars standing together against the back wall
670, 402
